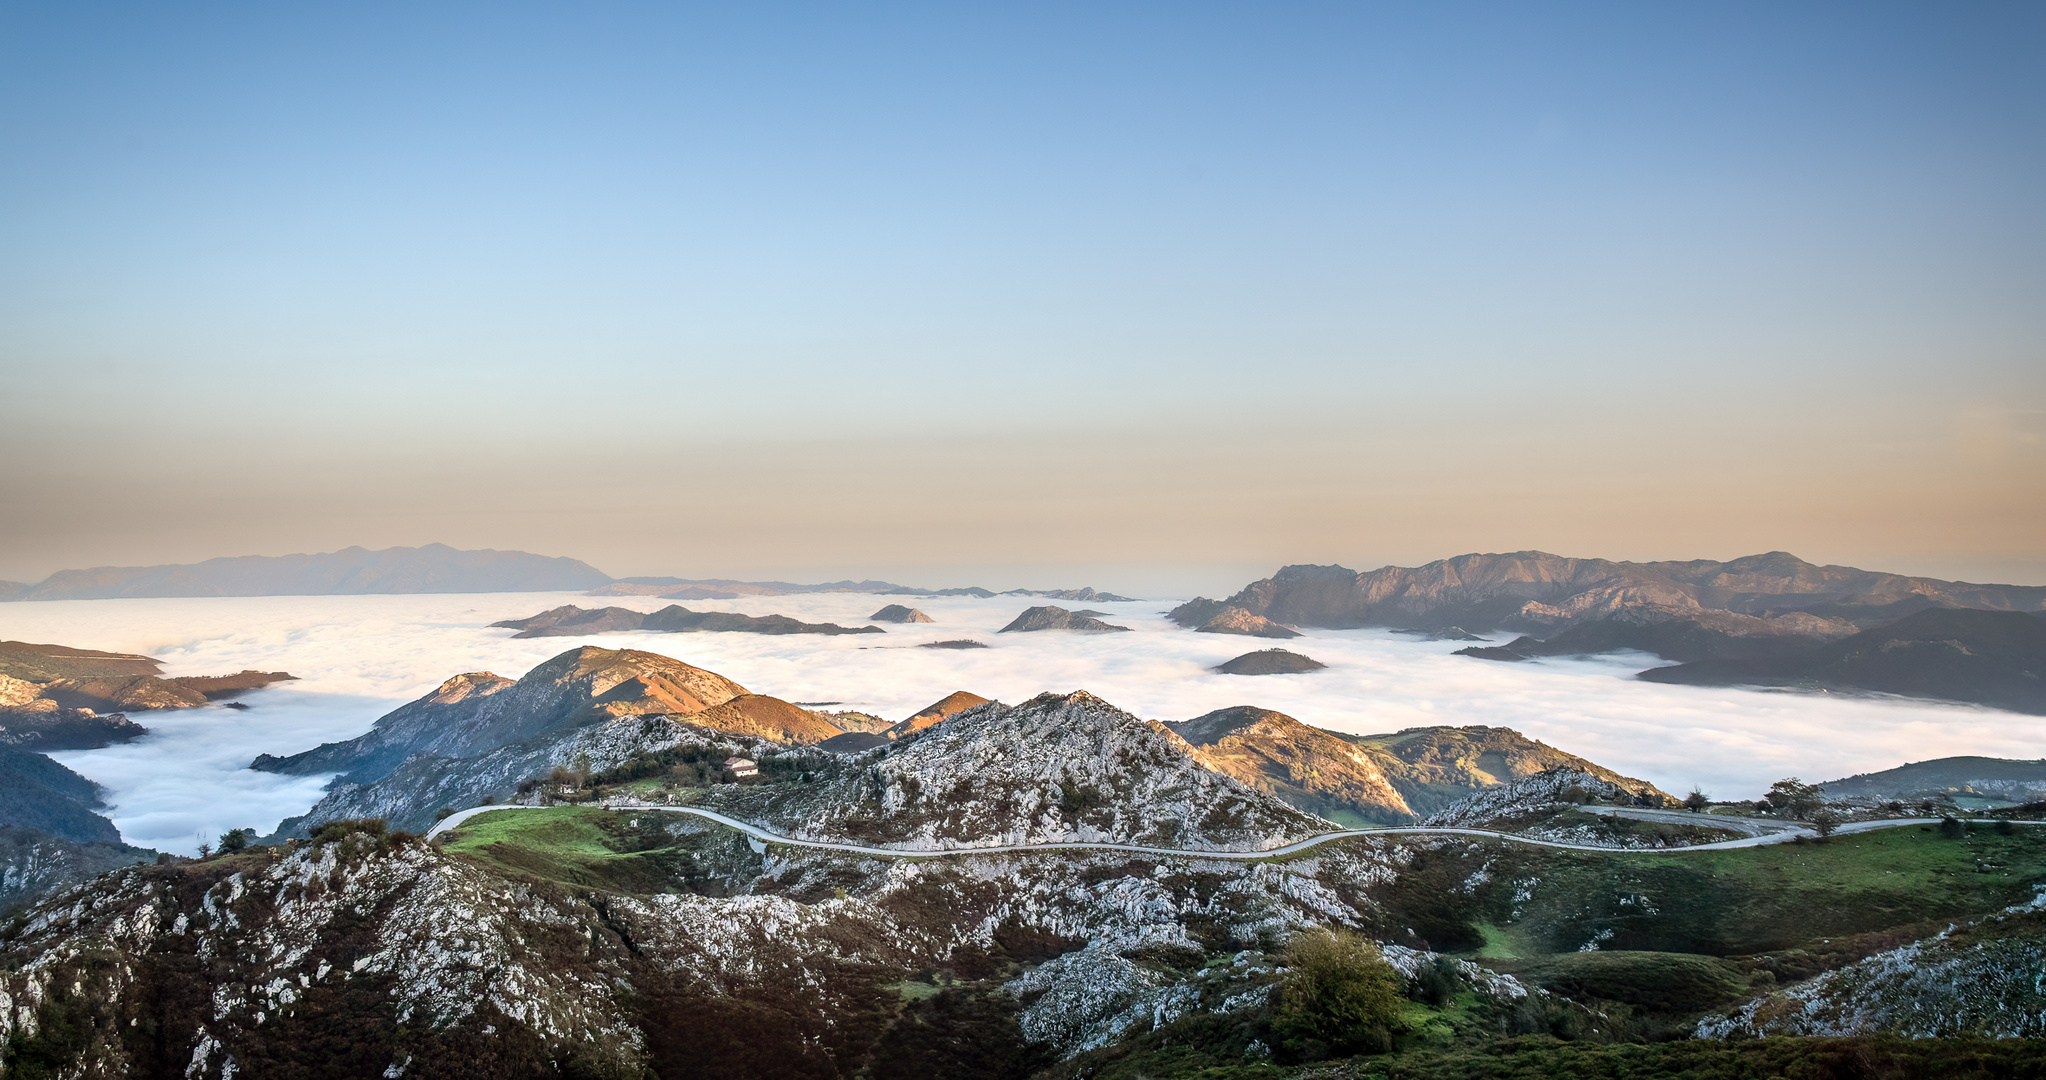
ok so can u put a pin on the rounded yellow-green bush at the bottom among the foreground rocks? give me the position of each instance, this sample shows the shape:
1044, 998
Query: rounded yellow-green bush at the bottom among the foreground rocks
1339, 991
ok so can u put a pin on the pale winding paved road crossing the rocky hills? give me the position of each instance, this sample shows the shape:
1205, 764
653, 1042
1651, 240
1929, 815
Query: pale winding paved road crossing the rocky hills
760, 838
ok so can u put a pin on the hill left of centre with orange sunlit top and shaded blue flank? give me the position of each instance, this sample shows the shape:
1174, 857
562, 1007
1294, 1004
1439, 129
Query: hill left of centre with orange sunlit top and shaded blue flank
478, 713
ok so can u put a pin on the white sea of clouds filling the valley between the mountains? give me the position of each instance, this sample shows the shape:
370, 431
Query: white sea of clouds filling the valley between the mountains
363, 656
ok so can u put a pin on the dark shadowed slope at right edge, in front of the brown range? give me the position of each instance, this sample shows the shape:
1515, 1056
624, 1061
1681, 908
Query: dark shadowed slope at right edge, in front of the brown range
1957, 656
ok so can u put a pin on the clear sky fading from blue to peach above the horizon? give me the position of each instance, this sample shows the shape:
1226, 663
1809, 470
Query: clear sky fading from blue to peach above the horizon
1153, 298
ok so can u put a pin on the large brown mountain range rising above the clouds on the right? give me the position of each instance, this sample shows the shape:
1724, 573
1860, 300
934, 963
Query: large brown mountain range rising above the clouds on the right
1759, 621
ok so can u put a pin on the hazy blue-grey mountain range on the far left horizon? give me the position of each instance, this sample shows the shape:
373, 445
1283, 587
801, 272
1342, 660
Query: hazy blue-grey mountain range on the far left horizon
349, 572
